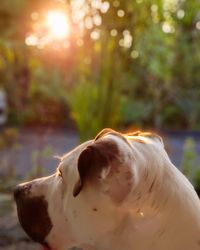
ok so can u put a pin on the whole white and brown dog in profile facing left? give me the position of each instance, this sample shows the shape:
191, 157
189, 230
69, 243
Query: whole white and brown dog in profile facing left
116, 192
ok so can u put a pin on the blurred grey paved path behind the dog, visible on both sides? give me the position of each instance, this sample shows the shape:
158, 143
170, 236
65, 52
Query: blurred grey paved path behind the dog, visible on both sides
41, 147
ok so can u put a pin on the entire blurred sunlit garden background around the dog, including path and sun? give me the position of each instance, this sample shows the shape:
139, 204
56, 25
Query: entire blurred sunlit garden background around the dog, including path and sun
69, 68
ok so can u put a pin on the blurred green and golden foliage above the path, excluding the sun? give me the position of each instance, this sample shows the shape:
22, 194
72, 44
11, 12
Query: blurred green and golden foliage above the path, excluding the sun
139, 64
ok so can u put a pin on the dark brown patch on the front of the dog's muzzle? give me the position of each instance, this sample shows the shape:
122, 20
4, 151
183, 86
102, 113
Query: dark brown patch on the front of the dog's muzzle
32, 213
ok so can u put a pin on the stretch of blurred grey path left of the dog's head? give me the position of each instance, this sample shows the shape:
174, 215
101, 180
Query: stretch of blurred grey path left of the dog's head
37, 148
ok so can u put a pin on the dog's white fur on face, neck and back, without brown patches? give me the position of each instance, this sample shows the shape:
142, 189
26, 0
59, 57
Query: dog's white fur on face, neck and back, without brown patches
161, 212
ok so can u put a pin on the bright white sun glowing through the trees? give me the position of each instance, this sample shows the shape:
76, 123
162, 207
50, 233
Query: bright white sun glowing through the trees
57, 24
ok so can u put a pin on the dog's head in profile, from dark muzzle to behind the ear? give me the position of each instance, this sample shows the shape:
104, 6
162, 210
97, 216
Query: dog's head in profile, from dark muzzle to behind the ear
80, 201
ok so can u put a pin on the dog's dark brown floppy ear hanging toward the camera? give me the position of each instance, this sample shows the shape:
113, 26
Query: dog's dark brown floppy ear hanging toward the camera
91, 162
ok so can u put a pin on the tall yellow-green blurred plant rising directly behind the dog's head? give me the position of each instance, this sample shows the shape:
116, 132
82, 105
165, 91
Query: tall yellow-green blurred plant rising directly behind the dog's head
95, 97
